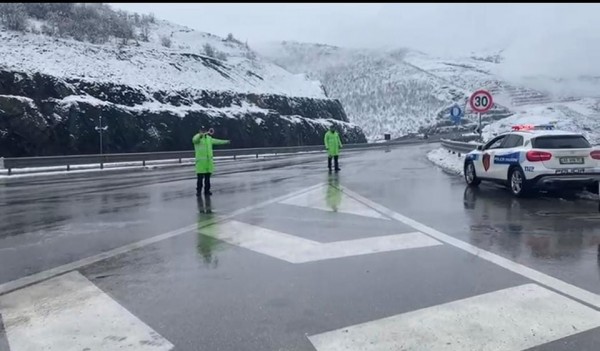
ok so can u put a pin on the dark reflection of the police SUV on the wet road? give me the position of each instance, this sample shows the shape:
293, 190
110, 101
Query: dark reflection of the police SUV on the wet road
519, 228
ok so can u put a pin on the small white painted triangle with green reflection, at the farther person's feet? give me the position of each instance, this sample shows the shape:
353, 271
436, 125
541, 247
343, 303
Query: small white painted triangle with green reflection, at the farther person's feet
333, 200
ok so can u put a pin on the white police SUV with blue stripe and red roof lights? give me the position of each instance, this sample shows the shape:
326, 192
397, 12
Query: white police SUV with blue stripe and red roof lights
534, 157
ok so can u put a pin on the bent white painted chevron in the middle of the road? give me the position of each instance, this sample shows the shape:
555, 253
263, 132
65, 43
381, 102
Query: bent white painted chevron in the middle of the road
295, 249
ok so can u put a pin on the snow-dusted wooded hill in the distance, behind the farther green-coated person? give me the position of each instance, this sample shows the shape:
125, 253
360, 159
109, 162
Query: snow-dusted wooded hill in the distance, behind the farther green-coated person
379, 91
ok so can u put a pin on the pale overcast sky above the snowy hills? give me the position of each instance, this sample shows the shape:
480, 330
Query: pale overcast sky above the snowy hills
430, 27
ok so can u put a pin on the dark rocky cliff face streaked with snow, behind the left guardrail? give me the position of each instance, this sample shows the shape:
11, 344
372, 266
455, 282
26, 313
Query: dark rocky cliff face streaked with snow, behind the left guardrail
44, 115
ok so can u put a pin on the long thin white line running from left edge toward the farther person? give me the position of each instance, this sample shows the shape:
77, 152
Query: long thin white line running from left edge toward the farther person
37, 277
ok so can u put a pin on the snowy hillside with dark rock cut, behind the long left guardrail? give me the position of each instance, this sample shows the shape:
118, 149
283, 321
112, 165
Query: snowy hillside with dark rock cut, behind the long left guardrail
153, 94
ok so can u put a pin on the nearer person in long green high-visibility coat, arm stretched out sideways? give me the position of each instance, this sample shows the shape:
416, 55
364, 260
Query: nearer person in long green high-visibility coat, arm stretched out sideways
203, 143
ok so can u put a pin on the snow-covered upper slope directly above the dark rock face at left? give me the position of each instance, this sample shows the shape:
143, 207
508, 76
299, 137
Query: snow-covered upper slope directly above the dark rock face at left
182, 66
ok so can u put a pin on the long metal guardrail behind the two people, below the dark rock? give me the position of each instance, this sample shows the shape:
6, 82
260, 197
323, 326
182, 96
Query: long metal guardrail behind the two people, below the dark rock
11, 163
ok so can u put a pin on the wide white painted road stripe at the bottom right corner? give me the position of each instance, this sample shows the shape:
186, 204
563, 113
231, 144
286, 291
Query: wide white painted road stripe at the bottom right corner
512, 319
